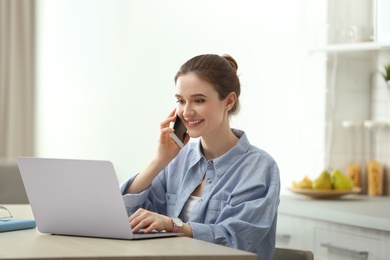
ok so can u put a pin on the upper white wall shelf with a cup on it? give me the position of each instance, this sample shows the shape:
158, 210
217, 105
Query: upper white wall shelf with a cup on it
351, 47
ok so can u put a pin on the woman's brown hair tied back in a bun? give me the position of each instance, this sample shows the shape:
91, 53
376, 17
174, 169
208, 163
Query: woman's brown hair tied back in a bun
220, 71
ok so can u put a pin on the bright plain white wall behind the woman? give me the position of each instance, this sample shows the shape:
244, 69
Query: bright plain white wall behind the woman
106, 68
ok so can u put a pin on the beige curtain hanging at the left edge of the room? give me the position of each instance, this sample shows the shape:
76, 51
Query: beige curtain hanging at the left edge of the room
17, 45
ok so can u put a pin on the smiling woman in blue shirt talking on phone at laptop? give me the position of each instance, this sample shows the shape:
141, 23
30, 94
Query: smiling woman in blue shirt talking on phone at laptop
220, 188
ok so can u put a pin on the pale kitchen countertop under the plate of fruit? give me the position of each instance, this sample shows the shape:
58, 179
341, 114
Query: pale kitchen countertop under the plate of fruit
356, 210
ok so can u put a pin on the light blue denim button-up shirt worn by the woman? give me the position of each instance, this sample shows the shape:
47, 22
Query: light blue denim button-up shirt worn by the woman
238, 207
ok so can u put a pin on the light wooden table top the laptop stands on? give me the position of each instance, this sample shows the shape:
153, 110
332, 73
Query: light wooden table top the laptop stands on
31, 244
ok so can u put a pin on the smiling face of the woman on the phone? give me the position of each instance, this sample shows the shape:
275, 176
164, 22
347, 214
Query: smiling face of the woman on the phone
199, 106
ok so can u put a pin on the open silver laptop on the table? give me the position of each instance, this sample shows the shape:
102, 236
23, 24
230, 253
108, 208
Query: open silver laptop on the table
77, 198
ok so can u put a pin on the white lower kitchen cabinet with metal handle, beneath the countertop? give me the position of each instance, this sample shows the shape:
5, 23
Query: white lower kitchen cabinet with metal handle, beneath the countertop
333, 241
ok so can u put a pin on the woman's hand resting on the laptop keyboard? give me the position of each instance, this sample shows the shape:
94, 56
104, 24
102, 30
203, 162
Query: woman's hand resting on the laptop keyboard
149, 221
